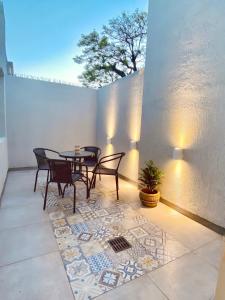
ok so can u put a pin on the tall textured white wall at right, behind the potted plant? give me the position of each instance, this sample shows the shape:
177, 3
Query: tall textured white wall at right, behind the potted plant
184, 103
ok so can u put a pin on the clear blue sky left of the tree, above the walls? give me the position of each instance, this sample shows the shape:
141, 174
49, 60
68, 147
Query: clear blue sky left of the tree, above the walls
42, 35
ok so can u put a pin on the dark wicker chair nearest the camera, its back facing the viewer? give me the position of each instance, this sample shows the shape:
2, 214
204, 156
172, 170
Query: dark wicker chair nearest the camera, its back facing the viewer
61, 172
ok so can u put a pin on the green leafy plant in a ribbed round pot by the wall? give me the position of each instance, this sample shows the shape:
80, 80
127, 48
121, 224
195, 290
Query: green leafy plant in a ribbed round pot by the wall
149, 178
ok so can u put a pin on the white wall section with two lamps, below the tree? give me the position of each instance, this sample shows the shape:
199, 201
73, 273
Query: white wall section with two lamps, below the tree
119, 117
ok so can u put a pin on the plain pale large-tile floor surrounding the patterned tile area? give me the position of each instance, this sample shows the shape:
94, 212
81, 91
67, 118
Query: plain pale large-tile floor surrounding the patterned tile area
31, 267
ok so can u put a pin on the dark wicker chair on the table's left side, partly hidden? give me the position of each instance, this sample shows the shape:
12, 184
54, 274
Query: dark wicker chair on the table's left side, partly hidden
42, 161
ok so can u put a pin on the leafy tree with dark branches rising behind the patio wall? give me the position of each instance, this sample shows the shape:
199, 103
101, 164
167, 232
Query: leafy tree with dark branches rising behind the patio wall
117, 51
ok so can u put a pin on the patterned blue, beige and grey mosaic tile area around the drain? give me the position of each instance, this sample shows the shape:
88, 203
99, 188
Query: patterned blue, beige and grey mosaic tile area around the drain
92, 266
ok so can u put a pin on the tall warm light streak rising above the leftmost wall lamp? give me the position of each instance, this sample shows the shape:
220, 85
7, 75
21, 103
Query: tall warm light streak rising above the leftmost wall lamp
111, 112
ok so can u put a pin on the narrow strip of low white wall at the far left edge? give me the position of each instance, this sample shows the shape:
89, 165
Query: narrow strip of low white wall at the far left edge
3, 162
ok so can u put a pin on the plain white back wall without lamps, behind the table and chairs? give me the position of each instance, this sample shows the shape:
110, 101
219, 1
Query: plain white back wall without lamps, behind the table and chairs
44, 114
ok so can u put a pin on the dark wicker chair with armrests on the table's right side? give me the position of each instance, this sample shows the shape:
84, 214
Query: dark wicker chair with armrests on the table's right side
101, 169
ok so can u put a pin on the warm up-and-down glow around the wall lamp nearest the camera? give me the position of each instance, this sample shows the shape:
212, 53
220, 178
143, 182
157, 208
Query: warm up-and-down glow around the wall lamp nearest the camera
185, 117
